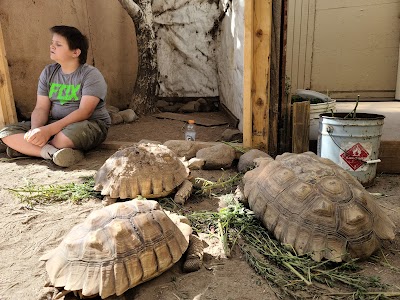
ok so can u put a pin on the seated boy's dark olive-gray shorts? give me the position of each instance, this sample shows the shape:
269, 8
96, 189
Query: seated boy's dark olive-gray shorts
85, 135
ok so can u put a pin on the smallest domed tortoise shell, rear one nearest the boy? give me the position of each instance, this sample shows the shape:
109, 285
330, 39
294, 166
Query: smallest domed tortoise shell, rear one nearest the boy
148, 170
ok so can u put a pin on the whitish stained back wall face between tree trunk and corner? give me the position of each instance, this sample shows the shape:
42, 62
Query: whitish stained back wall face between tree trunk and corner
185, 48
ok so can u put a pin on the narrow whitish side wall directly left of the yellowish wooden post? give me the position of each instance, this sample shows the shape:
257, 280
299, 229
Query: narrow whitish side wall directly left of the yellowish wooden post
230, 58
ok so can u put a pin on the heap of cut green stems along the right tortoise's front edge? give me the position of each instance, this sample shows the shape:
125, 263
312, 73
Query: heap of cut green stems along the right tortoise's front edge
270, 259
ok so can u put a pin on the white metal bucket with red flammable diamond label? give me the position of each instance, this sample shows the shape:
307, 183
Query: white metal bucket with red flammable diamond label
352, 143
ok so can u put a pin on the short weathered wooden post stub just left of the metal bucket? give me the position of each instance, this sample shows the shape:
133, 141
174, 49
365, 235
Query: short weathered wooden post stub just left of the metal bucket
300, 127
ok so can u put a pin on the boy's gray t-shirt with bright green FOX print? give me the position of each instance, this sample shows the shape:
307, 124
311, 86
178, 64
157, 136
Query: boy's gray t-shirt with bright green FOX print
66, 90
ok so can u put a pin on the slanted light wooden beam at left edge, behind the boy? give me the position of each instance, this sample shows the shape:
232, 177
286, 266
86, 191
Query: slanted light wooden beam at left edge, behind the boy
8, 113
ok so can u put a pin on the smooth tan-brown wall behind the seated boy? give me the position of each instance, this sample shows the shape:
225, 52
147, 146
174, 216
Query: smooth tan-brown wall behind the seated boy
110, 31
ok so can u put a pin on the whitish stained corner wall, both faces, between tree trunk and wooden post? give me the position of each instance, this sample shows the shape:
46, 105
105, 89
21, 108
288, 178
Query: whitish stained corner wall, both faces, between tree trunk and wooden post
194, 63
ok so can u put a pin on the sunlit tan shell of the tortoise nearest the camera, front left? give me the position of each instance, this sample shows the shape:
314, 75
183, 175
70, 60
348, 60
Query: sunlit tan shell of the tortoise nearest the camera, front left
118, 247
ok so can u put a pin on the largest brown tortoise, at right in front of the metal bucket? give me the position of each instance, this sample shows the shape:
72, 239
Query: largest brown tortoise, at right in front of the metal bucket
317, 207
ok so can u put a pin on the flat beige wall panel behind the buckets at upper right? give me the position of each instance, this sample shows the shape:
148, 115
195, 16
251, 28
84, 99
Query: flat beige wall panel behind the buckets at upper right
346, 47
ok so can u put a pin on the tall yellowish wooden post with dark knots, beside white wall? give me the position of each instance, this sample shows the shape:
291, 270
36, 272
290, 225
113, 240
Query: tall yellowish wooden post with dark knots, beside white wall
256, 85
